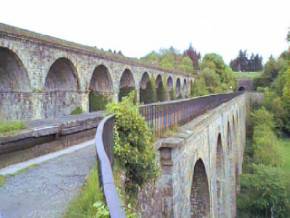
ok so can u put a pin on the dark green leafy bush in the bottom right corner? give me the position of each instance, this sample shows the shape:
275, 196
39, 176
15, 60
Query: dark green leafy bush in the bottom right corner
263, 193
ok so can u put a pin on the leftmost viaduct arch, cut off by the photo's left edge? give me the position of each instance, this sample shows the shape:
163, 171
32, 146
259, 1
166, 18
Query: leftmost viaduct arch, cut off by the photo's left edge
15, 90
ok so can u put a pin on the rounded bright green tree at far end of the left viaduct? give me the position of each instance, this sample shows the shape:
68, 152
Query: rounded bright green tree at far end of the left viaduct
215, 77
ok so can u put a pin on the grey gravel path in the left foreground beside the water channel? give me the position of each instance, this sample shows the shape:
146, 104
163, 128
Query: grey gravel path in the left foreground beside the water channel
45, 190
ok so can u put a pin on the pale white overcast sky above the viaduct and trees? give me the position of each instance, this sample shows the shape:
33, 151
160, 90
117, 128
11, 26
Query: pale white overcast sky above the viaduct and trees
137, 27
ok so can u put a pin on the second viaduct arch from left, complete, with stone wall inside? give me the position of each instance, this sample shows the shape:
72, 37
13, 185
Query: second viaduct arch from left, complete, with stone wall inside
62, 89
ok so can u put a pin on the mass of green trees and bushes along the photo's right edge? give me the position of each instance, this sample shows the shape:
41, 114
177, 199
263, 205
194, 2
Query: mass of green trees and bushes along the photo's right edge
265, 184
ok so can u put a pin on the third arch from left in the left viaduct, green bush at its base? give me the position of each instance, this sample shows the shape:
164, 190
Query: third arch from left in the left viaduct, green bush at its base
100, 89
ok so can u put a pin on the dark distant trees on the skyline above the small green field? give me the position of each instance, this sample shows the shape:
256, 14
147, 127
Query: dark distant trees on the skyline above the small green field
247, 64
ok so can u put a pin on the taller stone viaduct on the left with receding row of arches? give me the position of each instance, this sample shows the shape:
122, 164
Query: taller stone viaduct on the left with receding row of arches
45, 77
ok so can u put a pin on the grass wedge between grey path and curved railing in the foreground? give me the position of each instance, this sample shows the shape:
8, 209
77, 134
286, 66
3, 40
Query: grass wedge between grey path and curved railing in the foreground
82, 205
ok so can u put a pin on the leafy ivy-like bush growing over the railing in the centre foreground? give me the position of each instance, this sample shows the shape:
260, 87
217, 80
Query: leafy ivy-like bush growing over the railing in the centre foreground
133, 148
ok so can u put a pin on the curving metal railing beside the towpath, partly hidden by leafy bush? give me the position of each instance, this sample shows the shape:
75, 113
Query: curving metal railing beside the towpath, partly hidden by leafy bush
159, 116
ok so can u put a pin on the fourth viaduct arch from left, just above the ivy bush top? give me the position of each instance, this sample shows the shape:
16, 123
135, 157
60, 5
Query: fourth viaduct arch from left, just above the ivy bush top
127, 84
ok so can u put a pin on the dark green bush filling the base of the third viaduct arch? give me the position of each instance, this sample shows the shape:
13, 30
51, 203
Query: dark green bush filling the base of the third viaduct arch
98, 101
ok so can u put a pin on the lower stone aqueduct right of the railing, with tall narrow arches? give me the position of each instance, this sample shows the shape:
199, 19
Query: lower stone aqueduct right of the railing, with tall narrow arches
201, 165
